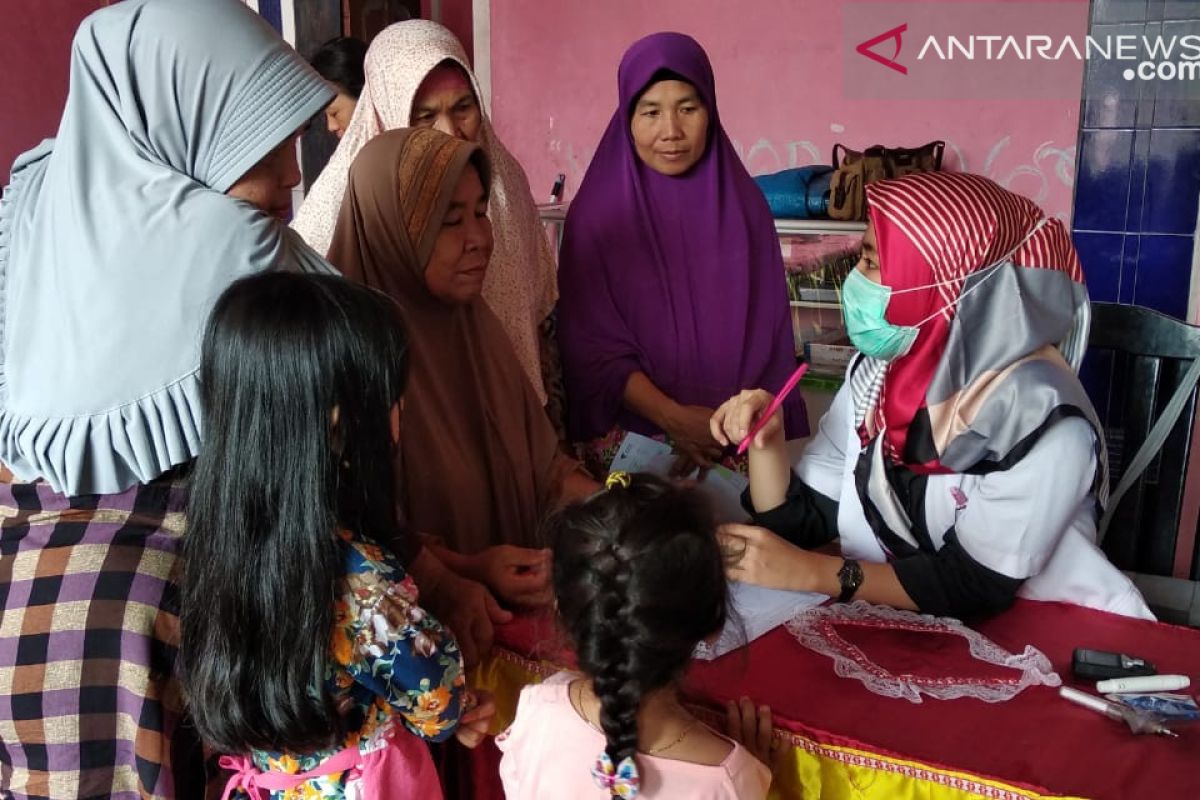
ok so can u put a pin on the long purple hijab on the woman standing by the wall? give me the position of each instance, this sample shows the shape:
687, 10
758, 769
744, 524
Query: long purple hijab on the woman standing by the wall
680, 278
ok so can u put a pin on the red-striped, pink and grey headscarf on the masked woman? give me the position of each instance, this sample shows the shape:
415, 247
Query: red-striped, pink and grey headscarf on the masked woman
1004, 286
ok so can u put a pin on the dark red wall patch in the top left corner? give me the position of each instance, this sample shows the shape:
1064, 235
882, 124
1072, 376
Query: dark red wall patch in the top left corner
35, 43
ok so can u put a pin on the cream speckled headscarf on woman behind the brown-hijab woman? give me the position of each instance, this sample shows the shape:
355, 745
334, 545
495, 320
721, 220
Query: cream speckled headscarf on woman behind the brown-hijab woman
521, 285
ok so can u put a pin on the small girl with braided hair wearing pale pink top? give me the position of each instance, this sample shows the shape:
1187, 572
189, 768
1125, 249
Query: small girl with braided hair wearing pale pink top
639, 576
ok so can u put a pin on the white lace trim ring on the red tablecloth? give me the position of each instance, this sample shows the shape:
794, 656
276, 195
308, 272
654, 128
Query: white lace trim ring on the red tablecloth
817, 630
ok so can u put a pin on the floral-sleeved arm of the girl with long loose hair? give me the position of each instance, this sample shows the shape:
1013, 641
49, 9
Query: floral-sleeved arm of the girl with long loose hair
388, 643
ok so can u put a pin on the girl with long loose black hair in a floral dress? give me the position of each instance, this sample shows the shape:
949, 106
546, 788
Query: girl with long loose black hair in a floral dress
305, 653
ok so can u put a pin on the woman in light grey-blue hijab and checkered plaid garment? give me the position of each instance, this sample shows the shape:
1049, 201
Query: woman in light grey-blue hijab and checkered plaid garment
169, 179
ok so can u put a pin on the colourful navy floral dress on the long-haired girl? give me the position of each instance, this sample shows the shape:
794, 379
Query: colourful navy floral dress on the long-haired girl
395, 663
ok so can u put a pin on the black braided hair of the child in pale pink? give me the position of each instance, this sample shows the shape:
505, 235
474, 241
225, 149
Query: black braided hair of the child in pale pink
640, 581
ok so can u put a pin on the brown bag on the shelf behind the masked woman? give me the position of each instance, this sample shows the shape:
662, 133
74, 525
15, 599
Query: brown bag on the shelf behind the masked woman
854, 171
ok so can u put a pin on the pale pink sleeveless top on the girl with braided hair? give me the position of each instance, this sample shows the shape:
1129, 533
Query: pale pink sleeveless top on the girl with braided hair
550, 749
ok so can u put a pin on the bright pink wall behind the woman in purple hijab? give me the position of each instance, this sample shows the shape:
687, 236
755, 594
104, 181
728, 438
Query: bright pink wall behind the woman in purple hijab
779, 81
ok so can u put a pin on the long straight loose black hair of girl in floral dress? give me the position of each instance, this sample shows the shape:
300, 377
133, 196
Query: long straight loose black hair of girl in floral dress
274, 483
